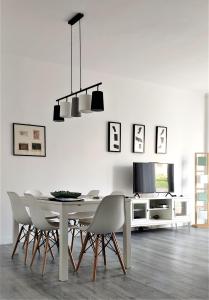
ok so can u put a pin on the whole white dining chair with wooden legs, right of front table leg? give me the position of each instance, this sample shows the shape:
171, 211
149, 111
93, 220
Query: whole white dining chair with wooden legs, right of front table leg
109, 218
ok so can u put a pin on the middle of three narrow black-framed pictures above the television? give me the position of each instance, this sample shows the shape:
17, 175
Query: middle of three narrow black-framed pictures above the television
138, 138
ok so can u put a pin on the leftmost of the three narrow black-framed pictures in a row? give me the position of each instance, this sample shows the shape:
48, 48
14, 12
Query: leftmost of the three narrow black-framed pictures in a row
114, 137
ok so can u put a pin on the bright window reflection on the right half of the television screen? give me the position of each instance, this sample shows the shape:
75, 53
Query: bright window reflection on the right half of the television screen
164, 177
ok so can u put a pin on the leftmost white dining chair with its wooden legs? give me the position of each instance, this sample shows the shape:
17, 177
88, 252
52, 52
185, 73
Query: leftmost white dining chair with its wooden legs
21, 216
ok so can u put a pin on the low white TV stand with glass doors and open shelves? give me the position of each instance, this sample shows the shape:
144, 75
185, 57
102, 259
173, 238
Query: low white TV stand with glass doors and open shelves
159, 211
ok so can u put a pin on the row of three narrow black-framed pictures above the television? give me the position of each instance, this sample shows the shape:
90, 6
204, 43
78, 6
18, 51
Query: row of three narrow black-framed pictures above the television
138, 138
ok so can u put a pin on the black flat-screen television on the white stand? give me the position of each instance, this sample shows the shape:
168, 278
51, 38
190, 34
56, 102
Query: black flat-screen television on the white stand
151, 177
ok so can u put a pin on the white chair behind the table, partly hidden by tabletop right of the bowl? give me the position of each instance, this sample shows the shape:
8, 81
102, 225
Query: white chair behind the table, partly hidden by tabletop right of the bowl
76, 217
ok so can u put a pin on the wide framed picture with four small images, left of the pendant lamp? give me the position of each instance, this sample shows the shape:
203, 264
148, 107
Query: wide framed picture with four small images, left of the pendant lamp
29, 140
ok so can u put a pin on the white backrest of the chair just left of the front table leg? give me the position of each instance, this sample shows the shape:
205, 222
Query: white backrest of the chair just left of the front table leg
36, 212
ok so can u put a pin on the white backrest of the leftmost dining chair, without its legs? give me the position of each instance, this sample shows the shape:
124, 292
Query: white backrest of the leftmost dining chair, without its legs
18, 209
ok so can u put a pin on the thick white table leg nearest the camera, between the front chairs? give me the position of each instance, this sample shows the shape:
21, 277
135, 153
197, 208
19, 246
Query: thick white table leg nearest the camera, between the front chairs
63, 245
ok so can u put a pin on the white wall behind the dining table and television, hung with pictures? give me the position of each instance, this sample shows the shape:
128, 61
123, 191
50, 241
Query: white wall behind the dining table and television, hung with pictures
77, 159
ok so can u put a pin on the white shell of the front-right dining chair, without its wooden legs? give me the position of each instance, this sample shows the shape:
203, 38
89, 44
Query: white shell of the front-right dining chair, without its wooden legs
109, 216
